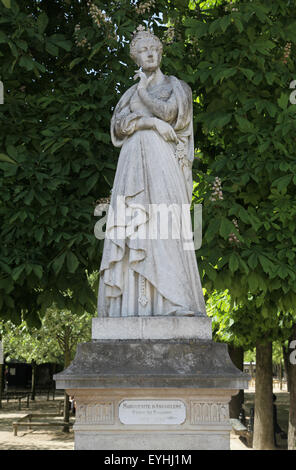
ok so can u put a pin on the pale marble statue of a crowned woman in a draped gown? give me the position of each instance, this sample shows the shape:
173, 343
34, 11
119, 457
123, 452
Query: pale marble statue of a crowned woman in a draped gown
152, 123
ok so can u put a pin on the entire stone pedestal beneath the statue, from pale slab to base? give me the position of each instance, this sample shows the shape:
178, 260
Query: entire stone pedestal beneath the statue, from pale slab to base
152, 383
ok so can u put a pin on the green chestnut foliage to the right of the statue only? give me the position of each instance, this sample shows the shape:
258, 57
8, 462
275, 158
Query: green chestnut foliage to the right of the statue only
246, 137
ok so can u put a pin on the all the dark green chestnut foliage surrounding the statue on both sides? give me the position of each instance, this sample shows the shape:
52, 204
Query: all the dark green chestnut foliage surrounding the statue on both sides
64, 65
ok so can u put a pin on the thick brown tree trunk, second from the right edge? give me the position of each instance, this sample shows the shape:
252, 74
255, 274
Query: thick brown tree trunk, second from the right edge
263, 438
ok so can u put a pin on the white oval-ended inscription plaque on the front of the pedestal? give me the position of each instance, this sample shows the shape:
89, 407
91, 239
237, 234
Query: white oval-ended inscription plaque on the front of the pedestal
152, 412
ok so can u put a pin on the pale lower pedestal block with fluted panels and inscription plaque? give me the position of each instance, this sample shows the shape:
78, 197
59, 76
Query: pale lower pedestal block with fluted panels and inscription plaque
152, 419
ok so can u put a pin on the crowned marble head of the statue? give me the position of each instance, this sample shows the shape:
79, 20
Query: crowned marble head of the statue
146, 50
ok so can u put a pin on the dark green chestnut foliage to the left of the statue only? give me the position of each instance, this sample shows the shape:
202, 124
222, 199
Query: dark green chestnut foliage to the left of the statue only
63, 64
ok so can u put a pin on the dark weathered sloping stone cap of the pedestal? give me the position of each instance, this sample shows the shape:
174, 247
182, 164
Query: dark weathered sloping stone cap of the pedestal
152, 363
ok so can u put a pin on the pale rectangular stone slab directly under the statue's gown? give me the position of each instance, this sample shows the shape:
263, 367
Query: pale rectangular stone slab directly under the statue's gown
198, 327
